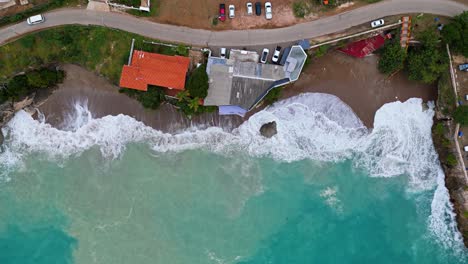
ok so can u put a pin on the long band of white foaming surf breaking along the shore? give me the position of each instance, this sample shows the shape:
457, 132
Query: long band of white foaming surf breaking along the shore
310, 126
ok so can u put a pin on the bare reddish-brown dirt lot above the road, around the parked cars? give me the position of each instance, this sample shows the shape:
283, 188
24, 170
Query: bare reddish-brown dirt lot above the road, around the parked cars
200, 14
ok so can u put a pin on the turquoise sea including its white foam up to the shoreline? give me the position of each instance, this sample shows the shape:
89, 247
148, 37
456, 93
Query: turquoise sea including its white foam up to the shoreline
215, 202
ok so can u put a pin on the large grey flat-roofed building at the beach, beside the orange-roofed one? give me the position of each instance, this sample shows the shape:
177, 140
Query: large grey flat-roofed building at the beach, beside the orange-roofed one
238, 83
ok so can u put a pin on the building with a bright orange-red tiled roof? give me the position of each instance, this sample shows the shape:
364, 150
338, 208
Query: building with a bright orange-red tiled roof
145, 68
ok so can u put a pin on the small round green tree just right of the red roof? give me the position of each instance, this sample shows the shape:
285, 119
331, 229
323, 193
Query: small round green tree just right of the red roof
392, 58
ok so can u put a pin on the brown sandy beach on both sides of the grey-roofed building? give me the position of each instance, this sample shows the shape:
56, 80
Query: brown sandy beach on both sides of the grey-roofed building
356, 81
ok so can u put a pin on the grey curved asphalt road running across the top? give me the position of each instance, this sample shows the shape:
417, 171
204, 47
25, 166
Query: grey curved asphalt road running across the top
198, 37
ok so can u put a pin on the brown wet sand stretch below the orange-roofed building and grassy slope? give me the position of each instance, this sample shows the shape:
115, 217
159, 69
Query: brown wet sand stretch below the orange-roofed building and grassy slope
104, 99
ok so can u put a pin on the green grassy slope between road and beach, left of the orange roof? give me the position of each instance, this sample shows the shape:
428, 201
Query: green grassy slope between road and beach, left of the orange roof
98, 49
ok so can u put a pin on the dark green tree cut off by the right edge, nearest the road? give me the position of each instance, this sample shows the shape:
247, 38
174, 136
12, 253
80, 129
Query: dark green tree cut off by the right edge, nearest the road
456, 33
